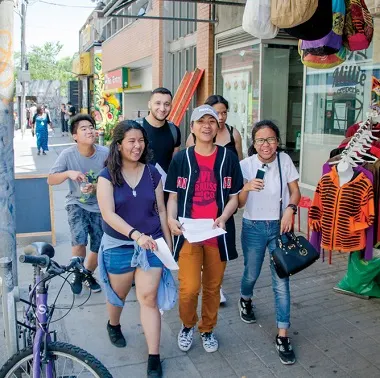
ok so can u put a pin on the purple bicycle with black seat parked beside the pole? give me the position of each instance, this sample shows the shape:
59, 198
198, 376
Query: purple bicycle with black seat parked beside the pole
42, 355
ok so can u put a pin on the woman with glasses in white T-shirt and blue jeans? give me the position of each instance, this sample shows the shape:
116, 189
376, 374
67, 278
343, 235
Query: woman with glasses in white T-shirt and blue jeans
267, 214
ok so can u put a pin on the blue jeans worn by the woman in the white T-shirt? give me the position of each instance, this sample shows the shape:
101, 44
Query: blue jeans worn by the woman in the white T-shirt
256, 237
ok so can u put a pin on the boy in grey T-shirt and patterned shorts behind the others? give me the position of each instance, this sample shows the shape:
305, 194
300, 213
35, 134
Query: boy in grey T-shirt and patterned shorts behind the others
80, 165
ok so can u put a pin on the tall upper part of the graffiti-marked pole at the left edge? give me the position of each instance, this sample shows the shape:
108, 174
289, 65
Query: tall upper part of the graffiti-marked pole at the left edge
7, 185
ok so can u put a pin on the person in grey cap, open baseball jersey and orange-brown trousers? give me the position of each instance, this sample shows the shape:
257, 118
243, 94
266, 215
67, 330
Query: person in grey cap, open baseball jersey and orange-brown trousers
204, 182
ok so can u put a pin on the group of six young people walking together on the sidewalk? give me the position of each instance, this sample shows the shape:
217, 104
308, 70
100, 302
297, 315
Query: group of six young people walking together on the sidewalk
125, 210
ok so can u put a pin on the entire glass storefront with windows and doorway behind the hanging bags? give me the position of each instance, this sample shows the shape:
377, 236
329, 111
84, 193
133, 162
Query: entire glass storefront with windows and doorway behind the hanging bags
313, 108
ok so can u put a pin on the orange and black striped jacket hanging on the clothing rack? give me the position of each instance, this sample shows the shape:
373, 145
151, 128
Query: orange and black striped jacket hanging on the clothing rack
342, 213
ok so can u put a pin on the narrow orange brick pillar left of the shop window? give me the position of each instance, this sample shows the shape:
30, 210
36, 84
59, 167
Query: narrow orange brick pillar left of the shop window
205, 54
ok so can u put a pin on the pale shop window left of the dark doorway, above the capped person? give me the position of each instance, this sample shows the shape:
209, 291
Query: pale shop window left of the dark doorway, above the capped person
237, 79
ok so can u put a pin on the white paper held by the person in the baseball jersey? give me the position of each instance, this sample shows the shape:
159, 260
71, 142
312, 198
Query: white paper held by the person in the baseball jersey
197, 230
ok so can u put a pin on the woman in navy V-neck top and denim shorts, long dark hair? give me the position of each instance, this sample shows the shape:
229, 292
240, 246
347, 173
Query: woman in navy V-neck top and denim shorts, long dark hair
131, 201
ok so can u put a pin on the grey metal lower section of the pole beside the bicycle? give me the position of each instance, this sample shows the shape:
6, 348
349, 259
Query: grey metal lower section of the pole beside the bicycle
8, 305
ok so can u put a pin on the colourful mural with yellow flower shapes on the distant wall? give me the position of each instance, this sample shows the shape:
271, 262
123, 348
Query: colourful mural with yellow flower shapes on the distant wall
106, 108
